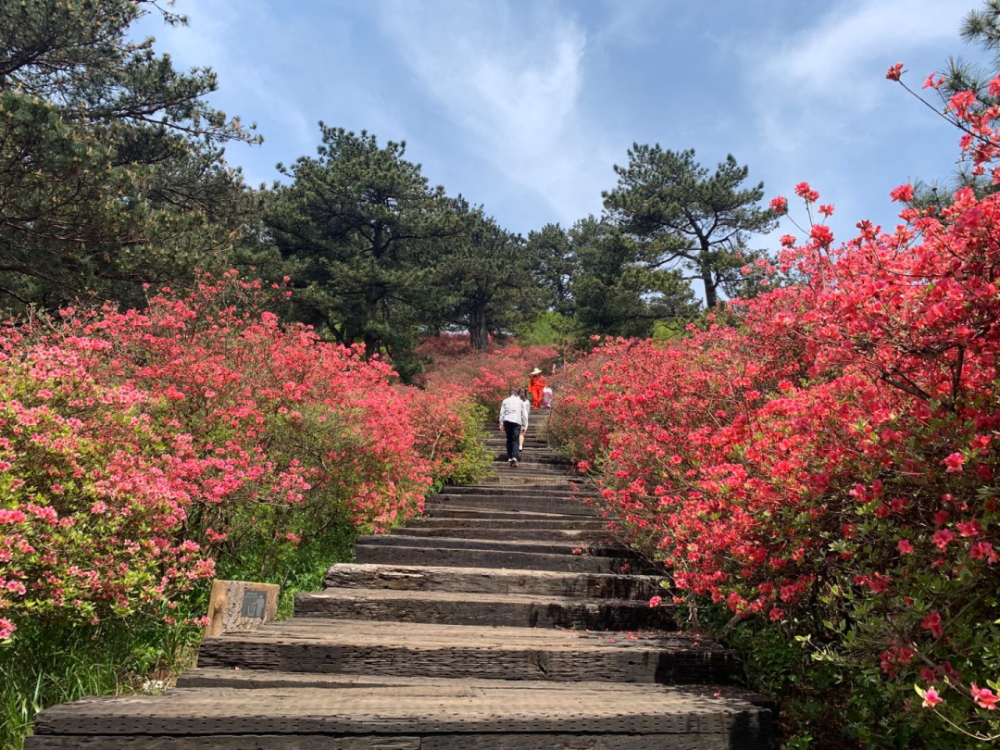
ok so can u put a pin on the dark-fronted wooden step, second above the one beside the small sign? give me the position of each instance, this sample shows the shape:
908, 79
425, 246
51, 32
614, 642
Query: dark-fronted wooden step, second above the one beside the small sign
477, 558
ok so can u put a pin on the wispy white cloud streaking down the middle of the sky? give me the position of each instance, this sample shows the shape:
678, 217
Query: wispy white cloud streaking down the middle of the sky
508, 75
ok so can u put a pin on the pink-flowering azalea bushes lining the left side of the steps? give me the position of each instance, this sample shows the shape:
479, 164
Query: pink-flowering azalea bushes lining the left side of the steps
145, 452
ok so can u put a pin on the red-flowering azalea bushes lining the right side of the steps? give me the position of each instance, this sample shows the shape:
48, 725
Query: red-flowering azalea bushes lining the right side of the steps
821, 463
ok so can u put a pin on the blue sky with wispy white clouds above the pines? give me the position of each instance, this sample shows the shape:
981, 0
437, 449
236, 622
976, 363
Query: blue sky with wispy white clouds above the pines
524, 106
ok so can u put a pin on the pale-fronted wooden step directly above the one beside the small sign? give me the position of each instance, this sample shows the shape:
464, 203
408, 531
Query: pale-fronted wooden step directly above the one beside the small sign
489, 580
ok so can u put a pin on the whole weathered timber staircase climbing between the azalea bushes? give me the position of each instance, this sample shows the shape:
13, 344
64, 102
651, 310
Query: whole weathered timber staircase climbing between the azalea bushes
504, 619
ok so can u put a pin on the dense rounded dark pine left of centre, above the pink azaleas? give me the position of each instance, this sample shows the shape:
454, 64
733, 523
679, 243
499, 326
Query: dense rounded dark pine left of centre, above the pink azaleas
361, 230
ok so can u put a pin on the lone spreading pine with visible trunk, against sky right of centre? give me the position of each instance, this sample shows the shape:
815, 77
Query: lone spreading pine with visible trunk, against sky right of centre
687, 217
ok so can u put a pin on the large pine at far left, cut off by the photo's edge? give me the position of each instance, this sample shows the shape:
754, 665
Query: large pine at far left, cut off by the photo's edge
111, 168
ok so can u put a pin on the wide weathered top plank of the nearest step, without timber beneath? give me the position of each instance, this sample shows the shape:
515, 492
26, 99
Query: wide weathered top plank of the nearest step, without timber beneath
403, 711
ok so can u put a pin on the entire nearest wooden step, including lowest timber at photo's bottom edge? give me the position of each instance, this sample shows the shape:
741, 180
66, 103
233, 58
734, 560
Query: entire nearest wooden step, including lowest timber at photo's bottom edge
439, 715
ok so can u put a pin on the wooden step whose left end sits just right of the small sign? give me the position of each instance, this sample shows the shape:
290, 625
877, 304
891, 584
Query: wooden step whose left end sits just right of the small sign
462, 608
